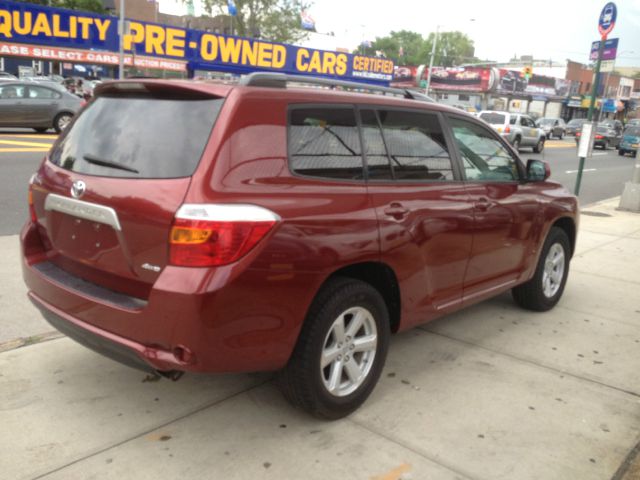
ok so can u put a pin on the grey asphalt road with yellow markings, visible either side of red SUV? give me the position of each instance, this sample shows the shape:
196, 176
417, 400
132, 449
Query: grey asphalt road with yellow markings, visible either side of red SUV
21, 151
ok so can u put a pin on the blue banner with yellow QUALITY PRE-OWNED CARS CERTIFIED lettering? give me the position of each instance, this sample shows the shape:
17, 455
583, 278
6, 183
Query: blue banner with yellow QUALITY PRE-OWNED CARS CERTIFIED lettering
61, 29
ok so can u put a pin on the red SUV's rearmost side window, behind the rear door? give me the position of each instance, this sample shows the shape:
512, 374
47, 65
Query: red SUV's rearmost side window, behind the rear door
325, 143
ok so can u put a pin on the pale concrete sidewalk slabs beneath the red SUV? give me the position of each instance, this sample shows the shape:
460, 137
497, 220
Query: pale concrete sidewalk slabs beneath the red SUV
492, 392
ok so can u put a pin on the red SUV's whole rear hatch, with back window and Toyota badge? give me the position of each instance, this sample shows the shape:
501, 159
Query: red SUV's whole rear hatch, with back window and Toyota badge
106, 197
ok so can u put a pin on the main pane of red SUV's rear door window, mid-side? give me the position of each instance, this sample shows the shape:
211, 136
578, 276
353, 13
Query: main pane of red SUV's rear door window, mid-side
416, 146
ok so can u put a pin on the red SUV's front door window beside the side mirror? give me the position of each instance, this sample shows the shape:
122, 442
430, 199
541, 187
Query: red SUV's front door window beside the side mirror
483, 156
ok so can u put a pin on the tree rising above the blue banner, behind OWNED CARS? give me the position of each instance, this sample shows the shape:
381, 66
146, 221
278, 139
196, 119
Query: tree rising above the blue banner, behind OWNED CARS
276, 20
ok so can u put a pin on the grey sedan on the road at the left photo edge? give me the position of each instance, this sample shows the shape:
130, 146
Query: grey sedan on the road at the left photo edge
36, 105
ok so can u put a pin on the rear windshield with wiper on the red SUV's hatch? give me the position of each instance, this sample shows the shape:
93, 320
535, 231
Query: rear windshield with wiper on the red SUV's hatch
138, 137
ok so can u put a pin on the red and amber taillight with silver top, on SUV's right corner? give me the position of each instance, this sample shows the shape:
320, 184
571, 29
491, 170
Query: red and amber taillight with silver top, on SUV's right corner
217, 234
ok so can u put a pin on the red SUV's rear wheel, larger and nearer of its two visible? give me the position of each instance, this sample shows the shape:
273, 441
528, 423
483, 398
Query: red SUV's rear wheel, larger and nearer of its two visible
340, 352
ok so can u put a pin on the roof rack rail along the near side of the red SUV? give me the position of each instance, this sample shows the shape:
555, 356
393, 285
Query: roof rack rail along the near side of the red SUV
280, 80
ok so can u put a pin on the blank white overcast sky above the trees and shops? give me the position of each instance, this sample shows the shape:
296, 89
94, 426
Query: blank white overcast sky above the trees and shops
546, 29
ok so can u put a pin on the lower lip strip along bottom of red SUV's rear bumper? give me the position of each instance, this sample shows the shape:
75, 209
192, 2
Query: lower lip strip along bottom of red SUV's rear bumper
117, 348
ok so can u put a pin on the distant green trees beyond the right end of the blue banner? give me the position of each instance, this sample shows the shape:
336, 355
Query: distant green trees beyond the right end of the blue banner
452, 48
